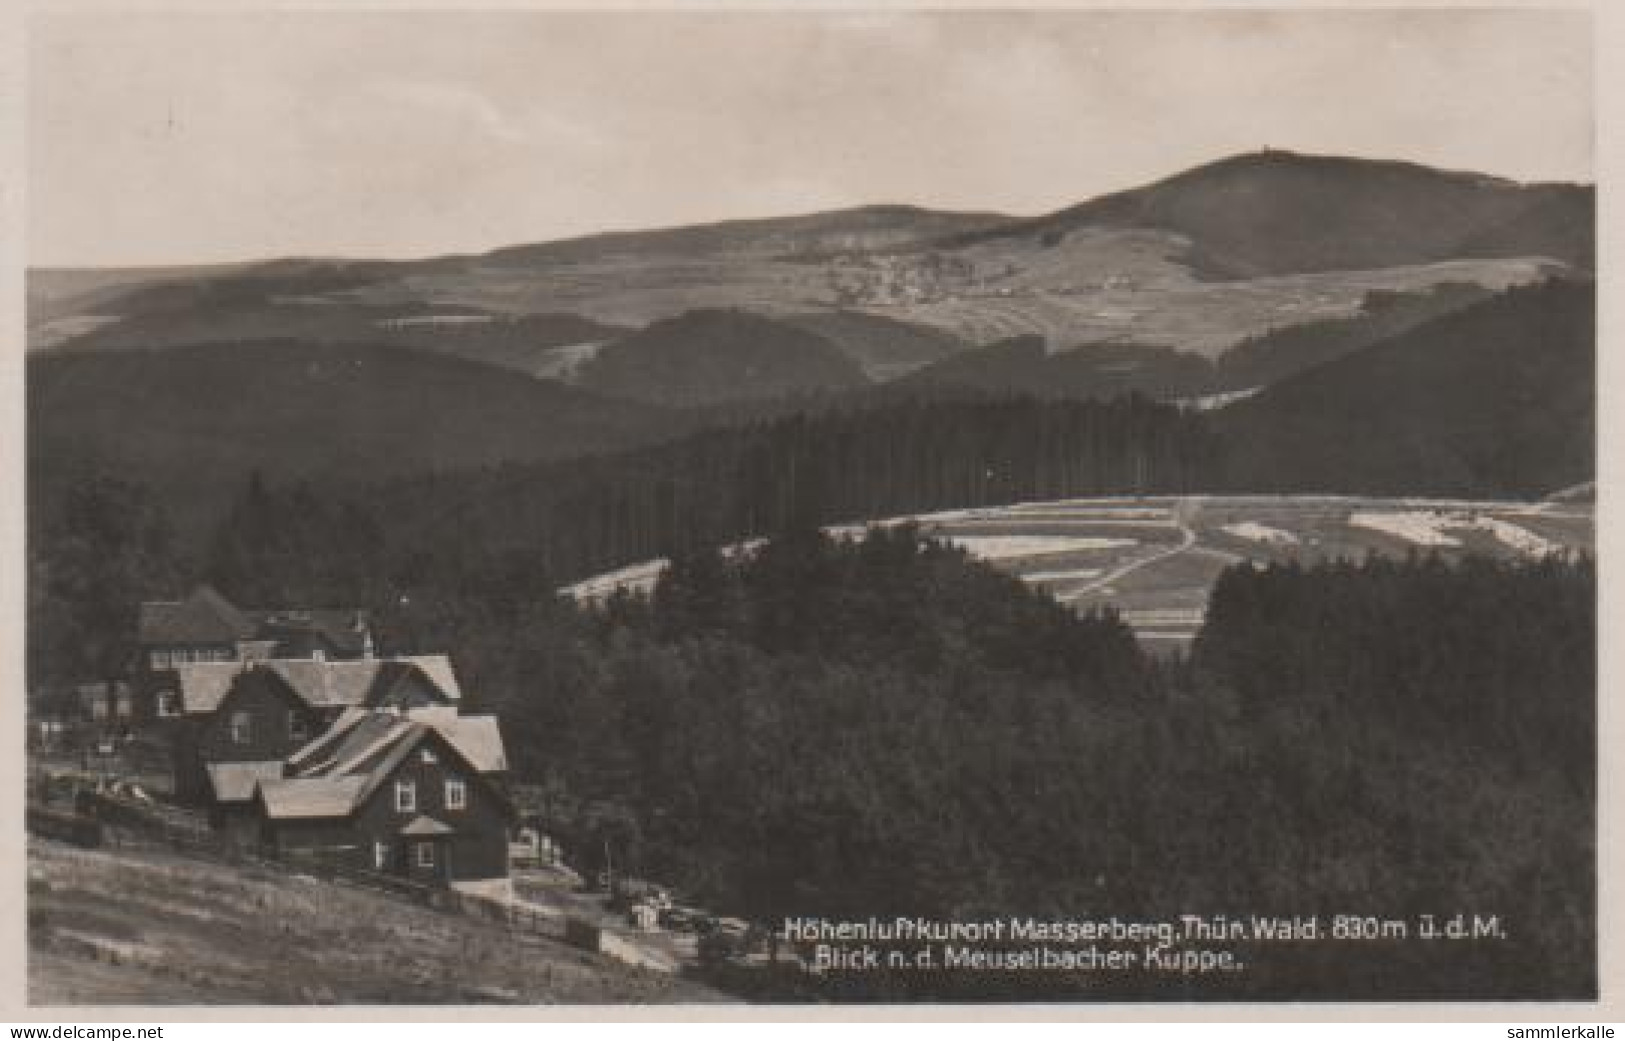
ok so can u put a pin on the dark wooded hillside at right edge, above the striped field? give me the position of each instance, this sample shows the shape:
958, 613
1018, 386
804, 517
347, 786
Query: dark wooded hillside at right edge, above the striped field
1497, 400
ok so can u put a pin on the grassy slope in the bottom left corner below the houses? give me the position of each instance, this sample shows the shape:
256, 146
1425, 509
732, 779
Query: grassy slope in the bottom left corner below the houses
189, 931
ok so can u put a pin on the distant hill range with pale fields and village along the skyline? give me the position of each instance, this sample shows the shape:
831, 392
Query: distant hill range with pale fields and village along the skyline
1197, 262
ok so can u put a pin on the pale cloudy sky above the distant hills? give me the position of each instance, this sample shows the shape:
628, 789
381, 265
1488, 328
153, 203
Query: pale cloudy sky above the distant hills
214, 137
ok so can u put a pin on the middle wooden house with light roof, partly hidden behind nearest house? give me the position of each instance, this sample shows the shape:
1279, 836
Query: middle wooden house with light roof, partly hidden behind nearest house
236, 722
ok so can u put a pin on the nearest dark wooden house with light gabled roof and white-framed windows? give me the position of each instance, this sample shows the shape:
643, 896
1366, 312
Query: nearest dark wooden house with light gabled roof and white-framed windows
417, 793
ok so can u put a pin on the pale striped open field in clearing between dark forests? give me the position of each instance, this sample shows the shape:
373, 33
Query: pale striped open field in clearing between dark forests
1156, 559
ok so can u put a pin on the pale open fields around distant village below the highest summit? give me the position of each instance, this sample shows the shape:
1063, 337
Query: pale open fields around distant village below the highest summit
1094, 287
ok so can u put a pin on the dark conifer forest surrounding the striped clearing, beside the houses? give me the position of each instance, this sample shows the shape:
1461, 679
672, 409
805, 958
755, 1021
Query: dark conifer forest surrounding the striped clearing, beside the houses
886, 727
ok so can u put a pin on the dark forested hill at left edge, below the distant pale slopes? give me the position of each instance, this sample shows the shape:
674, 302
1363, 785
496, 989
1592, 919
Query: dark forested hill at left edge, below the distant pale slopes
193, 423
